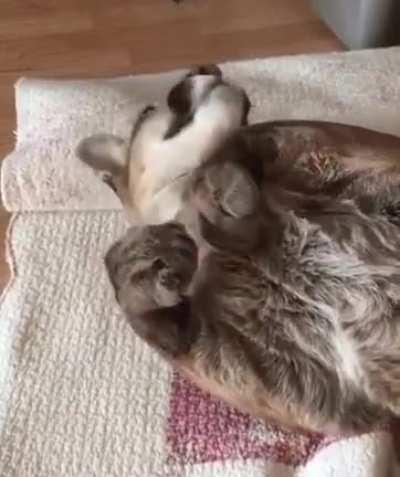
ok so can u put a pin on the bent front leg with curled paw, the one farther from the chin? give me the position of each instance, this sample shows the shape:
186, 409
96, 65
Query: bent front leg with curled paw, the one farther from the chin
150, 270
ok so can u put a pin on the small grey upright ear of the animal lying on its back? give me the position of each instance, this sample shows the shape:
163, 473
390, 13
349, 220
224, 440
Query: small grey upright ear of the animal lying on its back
104, 152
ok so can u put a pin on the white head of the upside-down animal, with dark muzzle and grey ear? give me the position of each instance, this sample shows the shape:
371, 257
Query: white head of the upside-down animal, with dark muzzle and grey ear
150, 172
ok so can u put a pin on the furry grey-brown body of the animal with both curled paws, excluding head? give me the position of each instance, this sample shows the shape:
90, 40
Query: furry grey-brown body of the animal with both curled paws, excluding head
290, 310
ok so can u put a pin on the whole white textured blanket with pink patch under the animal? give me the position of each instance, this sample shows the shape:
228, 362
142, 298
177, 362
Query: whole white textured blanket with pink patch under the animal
79, 394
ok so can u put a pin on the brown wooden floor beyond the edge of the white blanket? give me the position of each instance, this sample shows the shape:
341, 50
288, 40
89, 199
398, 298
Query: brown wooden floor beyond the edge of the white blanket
66, 38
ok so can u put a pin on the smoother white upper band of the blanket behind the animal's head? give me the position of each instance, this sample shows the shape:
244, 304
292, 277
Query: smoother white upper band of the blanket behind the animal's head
42, 173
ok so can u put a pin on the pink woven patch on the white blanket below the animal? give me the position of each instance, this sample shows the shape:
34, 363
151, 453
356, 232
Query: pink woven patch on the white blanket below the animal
203, 429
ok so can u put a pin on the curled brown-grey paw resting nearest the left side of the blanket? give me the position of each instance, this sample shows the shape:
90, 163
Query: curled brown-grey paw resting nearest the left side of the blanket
152, 266
